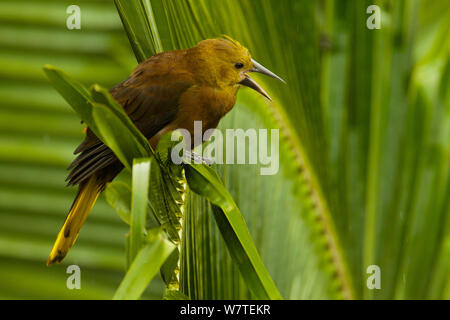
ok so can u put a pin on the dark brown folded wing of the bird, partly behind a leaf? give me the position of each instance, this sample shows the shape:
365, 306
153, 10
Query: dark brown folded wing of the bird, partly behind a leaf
151, 100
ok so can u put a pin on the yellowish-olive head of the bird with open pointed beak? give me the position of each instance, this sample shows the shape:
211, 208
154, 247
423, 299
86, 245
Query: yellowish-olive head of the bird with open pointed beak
227, 64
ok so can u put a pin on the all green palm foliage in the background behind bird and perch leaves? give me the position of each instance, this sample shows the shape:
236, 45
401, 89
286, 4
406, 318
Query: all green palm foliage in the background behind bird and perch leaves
365, 146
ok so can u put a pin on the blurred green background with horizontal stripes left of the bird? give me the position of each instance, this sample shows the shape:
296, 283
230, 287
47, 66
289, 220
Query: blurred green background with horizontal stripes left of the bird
38, 133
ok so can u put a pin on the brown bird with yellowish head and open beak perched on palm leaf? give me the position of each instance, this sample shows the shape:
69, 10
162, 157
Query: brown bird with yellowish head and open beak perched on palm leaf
168, 91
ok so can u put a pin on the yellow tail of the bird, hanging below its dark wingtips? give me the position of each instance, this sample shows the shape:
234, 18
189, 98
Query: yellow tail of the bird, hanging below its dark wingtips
85, 200
